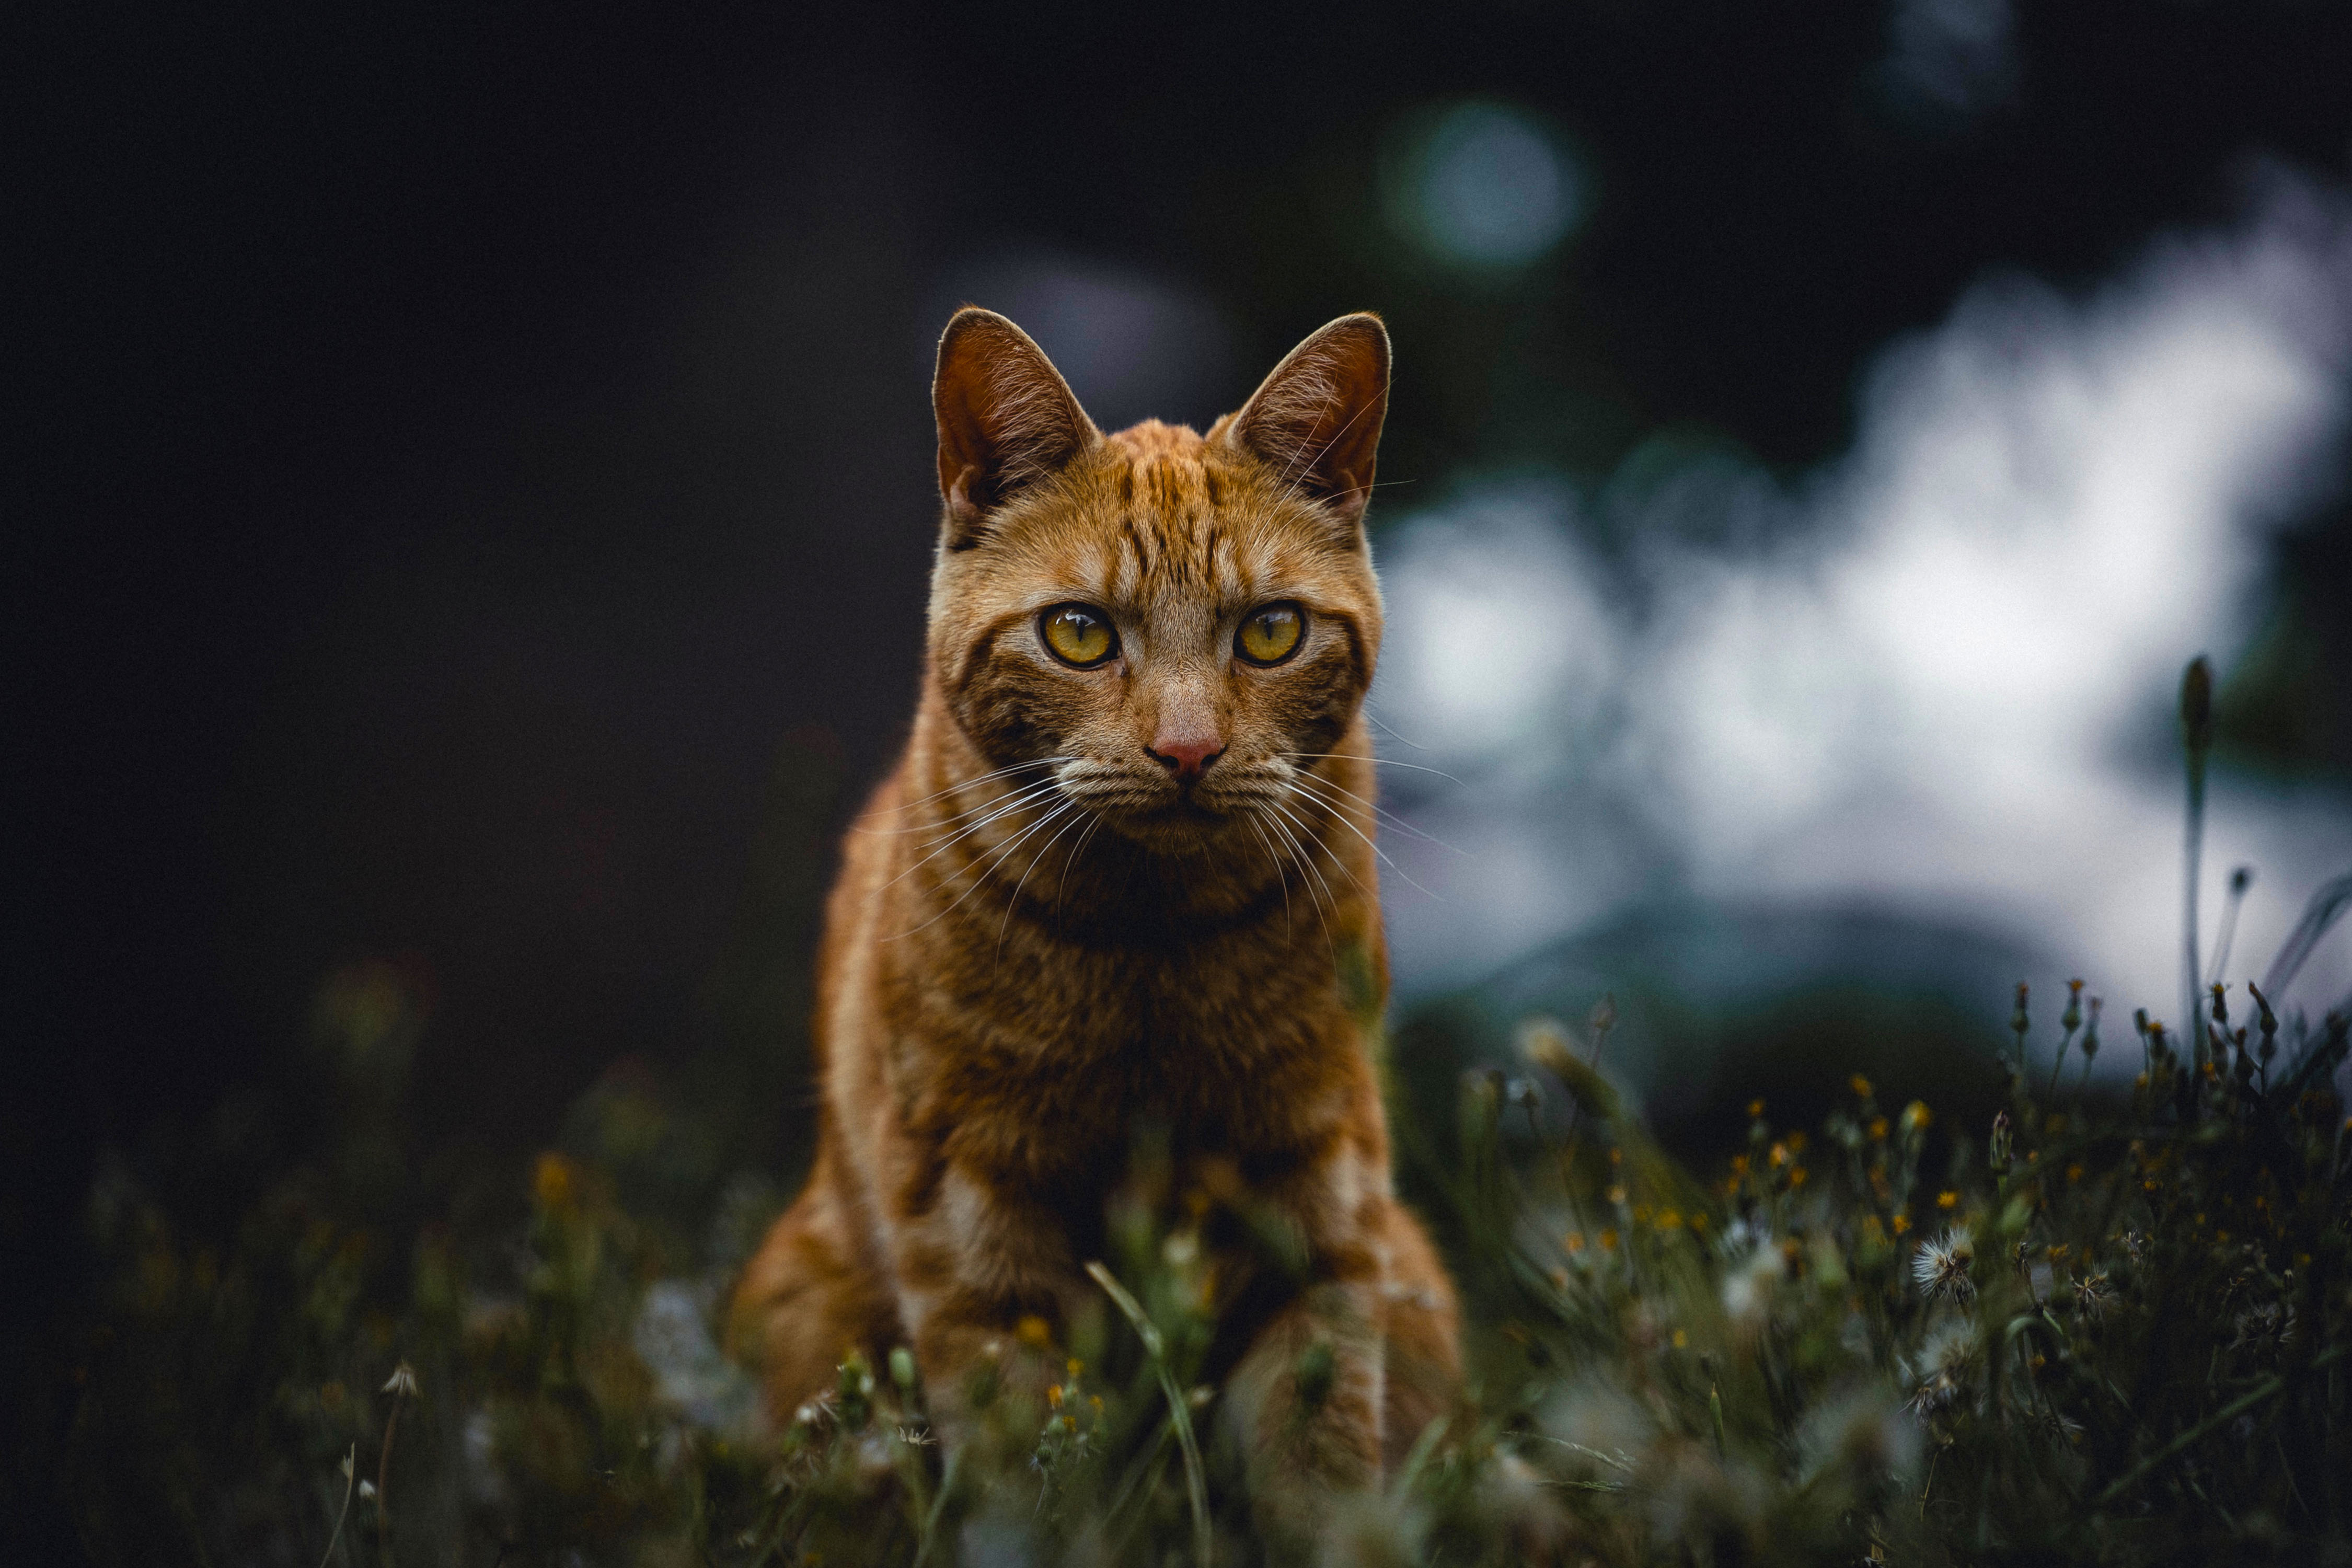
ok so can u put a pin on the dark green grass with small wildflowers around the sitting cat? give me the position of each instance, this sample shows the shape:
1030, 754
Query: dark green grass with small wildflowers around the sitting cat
2106, 1325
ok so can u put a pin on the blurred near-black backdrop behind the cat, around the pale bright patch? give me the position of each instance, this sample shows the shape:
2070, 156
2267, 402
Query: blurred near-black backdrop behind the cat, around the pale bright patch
472, 478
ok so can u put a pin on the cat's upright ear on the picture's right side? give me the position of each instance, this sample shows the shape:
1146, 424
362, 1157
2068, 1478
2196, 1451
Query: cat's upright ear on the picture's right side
1318, 417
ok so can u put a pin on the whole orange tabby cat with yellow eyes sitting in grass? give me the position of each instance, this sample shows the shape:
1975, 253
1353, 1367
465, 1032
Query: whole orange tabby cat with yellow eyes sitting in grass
1121, 878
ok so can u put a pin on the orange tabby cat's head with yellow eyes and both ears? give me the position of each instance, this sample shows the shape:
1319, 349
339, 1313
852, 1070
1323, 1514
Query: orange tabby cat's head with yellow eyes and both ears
1184, 622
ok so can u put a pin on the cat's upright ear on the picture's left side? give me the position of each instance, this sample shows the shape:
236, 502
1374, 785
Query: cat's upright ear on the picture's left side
1005, 420
